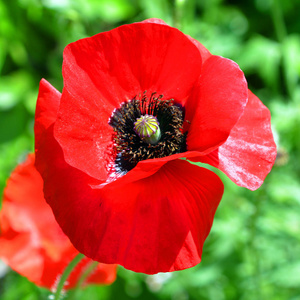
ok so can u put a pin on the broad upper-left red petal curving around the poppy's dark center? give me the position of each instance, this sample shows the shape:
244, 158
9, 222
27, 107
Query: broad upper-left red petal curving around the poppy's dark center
103, 71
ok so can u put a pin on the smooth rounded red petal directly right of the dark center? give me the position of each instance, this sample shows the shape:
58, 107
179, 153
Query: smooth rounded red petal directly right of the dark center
222, 98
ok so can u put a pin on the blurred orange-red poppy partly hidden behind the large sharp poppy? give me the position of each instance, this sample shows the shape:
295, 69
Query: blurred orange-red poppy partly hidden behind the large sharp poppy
32, 242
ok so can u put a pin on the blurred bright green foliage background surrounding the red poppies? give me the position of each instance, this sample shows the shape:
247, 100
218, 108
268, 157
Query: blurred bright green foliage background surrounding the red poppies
254, 247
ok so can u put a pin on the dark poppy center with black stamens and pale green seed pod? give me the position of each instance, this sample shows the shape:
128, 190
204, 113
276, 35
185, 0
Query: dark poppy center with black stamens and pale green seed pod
146, 128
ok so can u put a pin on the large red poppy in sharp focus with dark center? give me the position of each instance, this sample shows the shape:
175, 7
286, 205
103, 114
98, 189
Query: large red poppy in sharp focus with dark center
135, 100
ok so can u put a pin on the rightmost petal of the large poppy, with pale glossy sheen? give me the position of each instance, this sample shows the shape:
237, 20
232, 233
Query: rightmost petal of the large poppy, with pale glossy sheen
250, 151
